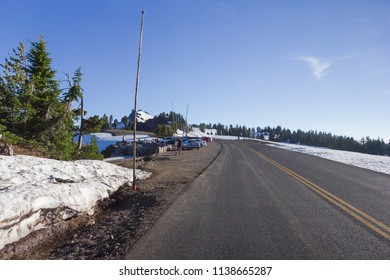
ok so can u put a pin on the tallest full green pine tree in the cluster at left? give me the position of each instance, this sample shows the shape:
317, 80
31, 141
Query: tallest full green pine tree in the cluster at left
52, 122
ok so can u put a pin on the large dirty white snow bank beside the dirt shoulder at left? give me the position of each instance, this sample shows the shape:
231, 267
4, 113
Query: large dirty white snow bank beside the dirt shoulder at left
29, 185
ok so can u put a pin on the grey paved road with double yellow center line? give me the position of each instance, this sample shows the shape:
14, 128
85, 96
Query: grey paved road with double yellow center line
261, 202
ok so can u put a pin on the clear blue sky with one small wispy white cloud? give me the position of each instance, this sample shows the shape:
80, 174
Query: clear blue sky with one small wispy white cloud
321, 65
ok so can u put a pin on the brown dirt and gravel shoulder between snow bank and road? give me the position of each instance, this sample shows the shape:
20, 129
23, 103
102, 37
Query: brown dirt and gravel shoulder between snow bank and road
121, 220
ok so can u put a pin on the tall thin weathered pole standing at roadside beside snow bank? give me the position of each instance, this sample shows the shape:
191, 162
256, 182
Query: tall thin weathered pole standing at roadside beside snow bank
135, 103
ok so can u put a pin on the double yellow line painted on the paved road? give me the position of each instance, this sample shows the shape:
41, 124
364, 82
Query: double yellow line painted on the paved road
359, 215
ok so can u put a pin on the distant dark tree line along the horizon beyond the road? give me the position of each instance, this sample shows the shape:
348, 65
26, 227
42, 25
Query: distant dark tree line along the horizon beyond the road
165, 124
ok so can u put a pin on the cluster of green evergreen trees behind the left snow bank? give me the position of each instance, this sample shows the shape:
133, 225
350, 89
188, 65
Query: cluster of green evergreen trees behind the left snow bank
35, 111
